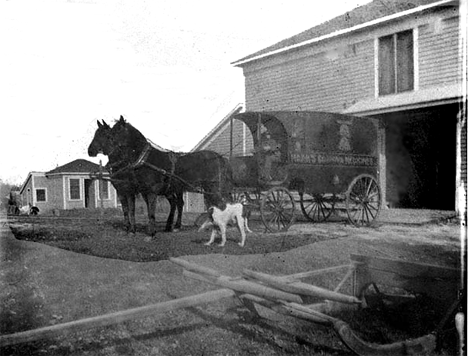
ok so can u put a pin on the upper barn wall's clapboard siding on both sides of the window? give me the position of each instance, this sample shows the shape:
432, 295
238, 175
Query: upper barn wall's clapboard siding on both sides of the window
332, 75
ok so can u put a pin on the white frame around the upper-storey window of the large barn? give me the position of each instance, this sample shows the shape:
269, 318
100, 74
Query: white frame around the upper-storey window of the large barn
414, 57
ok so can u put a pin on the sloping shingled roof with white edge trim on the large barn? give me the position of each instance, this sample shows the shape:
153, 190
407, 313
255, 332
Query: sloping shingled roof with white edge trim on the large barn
357, 18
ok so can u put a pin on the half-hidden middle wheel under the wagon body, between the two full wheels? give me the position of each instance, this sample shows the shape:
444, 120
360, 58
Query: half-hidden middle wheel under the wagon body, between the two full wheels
317, 207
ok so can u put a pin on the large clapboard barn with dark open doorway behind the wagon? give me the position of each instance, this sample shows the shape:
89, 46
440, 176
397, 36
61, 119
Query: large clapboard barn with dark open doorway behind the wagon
398, 61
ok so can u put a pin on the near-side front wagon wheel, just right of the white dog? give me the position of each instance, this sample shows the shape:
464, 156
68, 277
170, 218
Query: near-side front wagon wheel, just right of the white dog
277, 209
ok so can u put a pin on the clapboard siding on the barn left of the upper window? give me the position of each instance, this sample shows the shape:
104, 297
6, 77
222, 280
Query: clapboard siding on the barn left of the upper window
328, 81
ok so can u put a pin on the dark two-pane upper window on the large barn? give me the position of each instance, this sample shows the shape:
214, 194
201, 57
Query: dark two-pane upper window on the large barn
396, 63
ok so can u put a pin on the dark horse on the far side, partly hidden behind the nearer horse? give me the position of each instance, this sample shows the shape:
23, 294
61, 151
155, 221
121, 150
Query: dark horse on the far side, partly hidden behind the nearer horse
125, 182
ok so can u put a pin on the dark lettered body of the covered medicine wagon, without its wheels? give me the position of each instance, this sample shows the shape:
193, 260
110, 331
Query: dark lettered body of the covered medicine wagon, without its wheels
322, 152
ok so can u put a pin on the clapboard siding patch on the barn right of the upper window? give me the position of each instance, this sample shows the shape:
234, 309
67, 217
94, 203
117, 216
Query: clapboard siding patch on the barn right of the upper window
439, 55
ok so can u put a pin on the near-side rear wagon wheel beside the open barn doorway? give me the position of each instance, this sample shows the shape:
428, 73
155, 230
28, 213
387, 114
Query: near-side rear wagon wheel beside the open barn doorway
363, 200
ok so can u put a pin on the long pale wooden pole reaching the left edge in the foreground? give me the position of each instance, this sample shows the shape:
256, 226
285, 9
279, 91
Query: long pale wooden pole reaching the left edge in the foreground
114, 318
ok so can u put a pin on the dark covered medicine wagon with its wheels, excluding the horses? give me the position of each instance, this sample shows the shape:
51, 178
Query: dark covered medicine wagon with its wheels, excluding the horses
325, 161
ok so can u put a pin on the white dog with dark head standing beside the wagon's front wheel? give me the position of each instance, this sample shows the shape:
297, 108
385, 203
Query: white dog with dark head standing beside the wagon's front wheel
220, 217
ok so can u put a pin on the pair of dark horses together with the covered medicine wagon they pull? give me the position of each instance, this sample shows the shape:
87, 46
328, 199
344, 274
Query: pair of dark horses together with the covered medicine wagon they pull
325, 161
